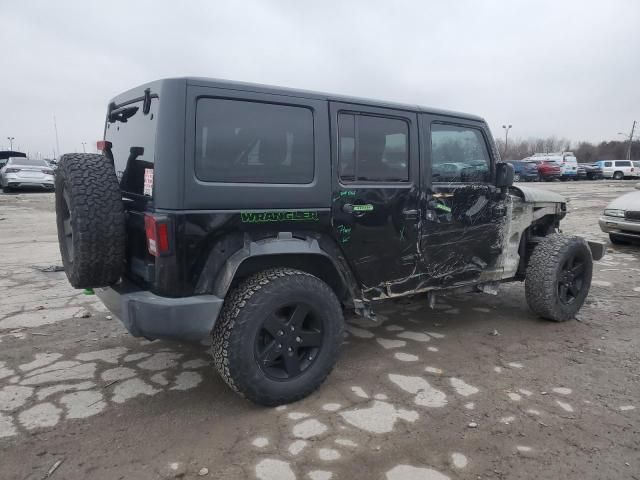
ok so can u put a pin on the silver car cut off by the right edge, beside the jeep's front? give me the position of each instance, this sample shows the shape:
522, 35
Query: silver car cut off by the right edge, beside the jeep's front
621, 219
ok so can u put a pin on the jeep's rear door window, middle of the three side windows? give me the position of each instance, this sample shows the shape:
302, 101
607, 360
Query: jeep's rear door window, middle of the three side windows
372, 149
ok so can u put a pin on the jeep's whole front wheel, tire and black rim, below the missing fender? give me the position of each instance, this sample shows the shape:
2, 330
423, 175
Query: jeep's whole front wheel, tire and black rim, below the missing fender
558, 277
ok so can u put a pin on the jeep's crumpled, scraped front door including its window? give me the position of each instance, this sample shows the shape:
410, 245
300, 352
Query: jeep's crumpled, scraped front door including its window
464, 214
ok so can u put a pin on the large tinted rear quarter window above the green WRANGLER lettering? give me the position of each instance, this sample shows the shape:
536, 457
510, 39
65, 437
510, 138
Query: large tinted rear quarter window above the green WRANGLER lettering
251, 142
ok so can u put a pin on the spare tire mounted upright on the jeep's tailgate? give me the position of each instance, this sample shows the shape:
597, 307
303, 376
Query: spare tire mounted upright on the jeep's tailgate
90, 220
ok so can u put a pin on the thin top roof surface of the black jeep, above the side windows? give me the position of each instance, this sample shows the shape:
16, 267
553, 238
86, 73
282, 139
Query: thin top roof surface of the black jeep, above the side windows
270, 89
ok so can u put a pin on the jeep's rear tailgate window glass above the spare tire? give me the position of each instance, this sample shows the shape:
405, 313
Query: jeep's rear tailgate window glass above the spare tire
132, 134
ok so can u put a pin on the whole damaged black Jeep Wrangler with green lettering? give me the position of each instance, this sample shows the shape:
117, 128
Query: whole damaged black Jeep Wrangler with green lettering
258, 214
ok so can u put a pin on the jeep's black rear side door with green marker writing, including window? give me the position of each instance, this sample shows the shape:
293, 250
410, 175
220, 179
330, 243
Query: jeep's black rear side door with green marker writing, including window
375, 194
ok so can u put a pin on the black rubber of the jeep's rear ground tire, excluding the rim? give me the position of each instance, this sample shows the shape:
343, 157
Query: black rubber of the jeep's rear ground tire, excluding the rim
242, 315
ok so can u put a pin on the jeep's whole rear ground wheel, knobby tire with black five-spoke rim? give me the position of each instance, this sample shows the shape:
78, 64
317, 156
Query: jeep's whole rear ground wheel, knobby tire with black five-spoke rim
278, 336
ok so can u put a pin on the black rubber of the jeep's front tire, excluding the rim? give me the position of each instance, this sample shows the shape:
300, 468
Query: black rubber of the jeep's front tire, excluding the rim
543, 272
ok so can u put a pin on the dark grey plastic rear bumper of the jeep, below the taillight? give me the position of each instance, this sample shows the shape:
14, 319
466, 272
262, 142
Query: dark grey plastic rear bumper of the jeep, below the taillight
151, 316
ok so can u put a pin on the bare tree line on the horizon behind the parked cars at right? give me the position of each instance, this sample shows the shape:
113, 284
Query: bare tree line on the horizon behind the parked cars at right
585, 152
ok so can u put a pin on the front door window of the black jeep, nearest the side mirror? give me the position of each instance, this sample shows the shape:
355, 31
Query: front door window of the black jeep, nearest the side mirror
459, 154
